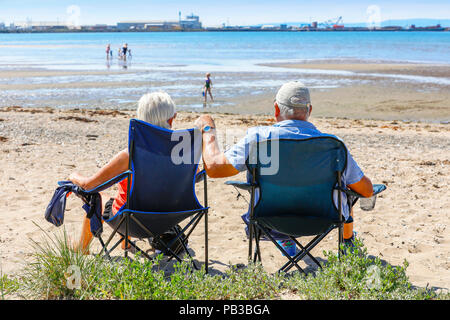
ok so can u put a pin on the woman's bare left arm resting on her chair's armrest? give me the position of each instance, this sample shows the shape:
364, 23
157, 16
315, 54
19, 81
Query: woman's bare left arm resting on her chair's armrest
117, 165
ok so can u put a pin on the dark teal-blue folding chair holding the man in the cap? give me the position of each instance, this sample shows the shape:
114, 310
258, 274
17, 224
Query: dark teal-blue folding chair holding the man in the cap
297, 201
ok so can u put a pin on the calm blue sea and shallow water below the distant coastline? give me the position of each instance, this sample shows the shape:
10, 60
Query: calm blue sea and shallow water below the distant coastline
176, 62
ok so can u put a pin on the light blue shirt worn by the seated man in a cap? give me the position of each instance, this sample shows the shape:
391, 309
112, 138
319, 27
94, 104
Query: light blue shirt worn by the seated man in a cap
238, 154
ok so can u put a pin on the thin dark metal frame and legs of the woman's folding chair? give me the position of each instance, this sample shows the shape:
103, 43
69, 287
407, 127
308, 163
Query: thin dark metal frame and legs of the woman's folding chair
127, 216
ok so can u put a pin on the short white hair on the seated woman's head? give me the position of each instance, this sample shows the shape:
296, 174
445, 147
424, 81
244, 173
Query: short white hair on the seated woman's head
156, 108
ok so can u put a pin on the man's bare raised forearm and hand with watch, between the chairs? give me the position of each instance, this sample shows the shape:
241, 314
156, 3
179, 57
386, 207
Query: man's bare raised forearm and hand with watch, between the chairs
216, 164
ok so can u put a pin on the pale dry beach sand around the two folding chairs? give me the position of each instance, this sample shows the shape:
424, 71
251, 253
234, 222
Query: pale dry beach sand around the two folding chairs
39, 147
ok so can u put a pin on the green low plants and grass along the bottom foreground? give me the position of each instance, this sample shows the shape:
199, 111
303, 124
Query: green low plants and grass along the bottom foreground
355, 276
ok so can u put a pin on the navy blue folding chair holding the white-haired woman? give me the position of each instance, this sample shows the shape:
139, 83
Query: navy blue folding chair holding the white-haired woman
162, 174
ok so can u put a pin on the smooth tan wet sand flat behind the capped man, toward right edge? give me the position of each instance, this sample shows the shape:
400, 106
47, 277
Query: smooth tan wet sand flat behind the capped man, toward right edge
383, 99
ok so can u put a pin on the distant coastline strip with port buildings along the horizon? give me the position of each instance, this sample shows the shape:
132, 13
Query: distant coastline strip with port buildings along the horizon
192, 23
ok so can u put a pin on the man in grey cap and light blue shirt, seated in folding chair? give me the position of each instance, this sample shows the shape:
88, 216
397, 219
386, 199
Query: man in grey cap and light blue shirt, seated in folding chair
292, 110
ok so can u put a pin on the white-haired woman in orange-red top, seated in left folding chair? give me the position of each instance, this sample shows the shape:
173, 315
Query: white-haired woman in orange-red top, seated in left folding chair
156, 108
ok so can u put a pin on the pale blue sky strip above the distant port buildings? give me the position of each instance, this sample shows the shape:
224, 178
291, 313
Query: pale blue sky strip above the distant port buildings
213, 13
